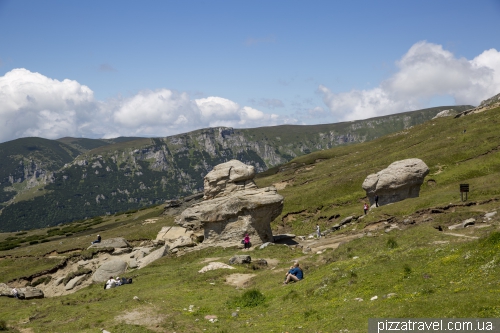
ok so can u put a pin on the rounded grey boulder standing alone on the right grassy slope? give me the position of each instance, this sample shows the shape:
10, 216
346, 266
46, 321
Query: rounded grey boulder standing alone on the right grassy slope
400, 180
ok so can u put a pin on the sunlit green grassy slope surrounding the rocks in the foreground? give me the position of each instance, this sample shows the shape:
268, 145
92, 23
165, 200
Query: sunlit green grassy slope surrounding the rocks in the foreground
414, 270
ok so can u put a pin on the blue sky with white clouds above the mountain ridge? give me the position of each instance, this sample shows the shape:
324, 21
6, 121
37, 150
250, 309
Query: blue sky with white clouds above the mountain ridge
103, 69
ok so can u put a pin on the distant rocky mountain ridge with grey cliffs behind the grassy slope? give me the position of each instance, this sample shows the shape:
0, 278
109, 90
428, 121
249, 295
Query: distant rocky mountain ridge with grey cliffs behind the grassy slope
48, 182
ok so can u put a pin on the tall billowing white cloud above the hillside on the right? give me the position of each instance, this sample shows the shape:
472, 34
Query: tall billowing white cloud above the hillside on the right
425, 71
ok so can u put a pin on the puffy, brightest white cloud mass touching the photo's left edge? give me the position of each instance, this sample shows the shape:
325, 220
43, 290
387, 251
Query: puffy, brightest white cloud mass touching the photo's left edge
34, 105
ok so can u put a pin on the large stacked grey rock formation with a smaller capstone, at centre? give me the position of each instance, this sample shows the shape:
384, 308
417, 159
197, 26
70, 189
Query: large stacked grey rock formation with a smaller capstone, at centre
233, 207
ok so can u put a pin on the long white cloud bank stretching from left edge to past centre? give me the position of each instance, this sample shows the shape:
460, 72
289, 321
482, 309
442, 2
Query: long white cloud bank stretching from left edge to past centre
35, 105
